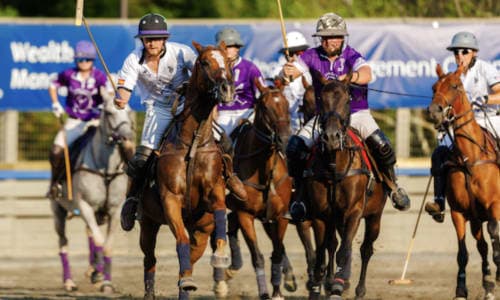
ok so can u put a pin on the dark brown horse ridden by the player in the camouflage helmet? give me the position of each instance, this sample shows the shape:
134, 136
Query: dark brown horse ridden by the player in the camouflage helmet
341, 192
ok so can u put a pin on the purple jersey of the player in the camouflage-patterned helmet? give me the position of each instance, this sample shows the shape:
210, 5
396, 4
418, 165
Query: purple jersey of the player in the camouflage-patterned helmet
349, 60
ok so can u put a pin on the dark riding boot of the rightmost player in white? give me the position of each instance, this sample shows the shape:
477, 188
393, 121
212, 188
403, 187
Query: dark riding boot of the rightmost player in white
436, 209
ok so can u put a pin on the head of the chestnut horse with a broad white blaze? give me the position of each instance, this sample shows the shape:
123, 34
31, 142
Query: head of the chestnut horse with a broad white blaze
212, 74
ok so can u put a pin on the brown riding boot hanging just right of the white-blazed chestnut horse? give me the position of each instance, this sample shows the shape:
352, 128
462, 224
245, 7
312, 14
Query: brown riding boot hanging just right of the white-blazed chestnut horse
233, 183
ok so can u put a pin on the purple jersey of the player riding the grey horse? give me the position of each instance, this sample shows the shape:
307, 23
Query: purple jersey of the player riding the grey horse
83, 96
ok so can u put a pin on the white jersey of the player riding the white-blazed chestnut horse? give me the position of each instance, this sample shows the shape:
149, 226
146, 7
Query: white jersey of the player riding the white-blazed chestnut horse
174, 68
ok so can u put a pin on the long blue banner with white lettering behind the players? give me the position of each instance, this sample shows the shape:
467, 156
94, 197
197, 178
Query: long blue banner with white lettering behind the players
403, 56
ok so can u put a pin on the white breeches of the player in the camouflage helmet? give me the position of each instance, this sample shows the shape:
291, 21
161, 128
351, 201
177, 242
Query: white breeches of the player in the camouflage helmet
361, 120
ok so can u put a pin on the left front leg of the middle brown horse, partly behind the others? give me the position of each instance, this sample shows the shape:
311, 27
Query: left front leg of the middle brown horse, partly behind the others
248, 230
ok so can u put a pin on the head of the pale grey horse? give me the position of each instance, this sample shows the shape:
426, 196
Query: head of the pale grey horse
116, 124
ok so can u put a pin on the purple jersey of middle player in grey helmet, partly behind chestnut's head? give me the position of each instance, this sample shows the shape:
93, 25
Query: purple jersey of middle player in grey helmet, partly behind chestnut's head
244, 74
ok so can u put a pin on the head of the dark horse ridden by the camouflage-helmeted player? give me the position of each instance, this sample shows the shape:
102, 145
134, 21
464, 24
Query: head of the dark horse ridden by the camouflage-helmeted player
335, 112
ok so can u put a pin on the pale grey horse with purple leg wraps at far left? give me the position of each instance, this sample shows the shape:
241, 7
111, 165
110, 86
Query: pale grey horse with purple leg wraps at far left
99, 187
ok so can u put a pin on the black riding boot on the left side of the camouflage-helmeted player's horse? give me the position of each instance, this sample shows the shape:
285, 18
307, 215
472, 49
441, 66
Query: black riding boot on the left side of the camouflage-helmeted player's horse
297, 154
